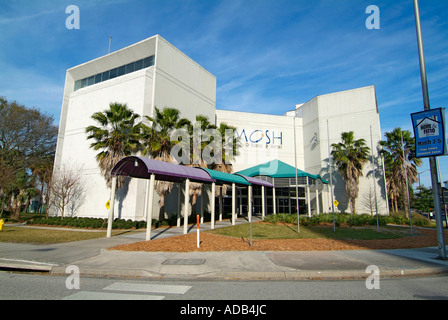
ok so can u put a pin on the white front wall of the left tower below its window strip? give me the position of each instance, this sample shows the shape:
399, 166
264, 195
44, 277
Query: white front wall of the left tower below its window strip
76, 152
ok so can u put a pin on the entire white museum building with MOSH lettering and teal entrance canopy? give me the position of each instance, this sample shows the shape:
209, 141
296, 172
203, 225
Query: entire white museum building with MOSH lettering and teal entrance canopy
153, 73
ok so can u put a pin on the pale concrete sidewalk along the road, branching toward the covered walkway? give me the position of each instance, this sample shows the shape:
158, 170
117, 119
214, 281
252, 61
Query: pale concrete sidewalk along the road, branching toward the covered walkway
93, 259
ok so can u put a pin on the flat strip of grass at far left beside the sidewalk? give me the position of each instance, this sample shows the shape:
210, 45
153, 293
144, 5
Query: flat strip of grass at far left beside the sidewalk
46, 236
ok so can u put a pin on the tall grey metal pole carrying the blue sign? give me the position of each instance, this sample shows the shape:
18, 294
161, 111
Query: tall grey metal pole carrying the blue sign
432, 160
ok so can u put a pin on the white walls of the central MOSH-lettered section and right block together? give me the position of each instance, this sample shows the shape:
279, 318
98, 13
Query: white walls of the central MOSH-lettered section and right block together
351, 110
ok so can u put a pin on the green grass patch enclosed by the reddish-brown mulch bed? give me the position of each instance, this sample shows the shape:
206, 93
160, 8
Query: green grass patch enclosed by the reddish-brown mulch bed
282, 231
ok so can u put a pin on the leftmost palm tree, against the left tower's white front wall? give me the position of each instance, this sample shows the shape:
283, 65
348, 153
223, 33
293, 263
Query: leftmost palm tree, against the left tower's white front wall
117, 136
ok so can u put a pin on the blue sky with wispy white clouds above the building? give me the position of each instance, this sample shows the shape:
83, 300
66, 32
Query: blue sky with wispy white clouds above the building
267, 55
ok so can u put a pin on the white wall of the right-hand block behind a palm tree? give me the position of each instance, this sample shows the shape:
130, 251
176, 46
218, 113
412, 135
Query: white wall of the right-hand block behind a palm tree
352, 110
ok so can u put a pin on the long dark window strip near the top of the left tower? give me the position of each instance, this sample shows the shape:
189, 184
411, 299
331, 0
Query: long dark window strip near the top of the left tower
116, 72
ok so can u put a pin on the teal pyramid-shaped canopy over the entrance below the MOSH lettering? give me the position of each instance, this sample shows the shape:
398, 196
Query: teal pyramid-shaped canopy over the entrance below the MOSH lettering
277, 169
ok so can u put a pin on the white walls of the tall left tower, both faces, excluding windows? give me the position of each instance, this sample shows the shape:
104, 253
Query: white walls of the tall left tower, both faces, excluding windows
174, 81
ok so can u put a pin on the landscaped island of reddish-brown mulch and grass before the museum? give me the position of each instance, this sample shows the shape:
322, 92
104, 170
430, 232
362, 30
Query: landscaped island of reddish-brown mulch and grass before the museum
285, 237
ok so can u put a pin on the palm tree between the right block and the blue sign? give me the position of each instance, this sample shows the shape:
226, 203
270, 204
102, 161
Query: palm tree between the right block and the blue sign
399, 153
